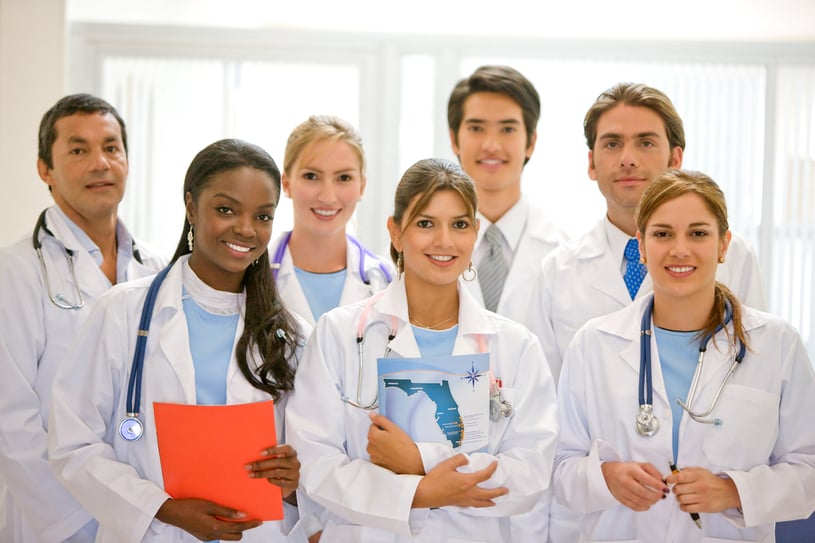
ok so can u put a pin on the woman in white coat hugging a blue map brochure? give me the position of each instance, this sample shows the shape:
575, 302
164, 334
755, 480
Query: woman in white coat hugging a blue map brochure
368, 479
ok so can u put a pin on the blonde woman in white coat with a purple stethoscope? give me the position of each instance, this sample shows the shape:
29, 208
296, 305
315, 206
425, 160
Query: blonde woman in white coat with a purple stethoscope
317, 265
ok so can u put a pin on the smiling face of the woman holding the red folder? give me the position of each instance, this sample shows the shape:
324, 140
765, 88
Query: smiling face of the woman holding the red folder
232, 220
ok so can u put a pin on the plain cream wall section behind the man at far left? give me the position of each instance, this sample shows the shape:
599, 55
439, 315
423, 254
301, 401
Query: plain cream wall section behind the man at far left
32, 78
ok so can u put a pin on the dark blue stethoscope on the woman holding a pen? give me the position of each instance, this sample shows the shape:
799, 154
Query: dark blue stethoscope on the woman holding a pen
647, 422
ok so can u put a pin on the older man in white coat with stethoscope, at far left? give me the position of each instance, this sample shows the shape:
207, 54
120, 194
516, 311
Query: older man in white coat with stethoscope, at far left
82, 142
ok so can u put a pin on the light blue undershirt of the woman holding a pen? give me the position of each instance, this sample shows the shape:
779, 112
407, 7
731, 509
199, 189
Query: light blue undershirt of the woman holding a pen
678, 352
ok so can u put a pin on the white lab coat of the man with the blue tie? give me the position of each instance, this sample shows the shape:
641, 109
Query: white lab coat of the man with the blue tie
582, 280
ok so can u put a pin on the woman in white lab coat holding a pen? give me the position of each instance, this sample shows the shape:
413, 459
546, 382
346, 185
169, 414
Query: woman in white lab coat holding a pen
756, 467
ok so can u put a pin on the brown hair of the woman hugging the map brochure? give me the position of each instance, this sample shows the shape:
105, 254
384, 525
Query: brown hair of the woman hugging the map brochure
424, 179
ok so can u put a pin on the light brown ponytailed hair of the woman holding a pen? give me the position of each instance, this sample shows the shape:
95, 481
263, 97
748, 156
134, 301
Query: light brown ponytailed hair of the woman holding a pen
671, 185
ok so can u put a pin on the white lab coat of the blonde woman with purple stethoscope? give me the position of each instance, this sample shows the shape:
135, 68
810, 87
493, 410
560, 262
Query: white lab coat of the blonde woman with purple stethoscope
354, 290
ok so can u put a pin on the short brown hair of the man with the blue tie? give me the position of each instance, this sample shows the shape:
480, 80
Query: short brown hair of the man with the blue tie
635, 94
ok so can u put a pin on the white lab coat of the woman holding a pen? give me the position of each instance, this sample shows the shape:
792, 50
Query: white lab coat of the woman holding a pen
766, 442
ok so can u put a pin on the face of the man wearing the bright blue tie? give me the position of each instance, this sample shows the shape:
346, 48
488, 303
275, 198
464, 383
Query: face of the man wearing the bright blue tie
631, 150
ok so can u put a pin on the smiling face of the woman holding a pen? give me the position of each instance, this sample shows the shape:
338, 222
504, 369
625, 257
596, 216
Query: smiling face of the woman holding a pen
682, 247
